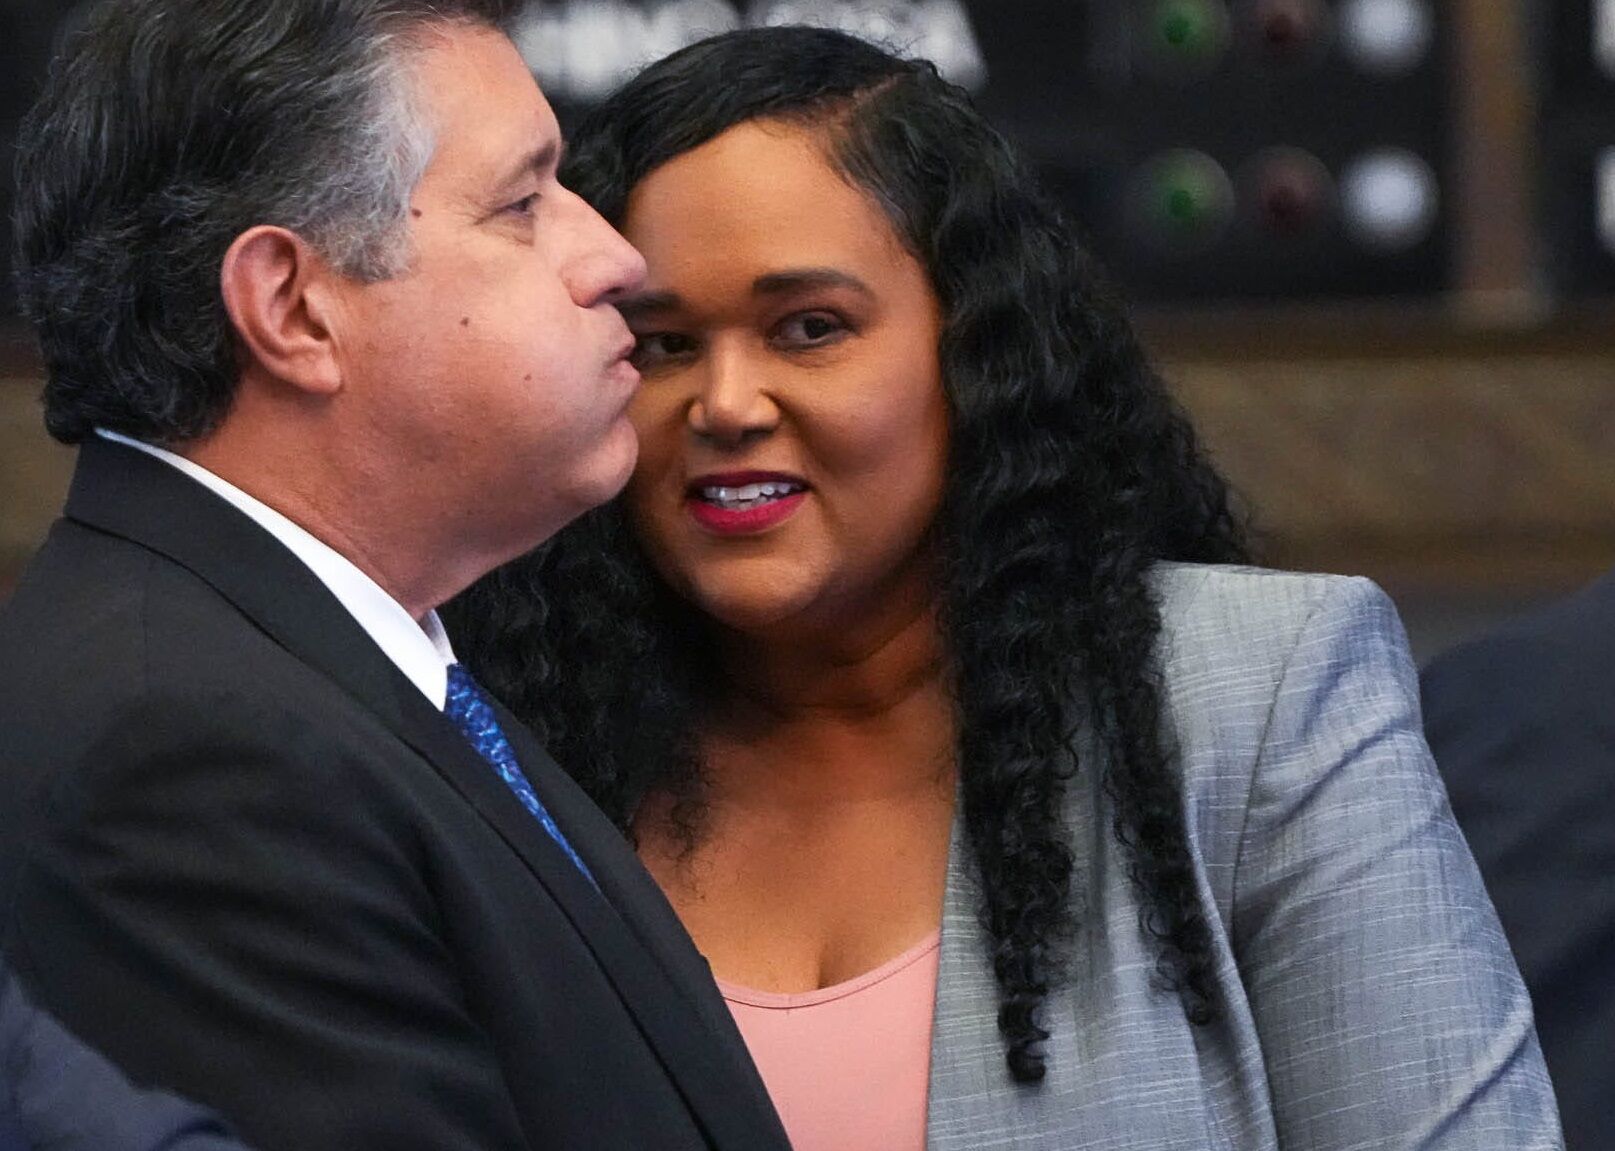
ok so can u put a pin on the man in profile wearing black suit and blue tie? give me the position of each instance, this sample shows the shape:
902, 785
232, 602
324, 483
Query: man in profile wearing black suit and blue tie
333, 343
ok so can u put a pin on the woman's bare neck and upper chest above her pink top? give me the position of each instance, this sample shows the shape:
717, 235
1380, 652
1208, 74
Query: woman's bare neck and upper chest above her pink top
828, 806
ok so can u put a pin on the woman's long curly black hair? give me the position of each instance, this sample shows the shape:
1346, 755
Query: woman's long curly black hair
1072, 474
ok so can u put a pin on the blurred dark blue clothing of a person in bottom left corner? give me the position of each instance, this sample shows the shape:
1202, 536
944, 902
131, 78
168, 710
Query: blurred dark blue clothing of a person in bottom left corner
57, 1094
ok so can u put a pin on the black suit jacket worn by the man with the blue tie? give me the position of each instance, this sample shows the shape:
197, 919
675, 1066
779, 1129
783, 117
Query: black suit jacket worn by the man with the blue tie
254, 864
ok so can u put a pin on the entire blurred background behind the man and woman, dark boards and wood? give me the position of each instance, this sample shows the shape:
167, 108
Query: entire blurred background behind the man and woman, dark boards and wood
1372, 243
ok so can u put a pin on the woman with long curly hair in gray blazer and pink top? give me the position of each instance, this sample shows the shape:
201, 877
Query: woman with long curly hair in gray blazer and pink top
1004, 818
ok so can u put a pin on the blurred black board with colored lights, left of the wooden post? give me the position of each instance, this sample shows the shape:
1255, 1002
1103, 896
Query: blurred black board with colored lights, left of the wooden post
1209, 149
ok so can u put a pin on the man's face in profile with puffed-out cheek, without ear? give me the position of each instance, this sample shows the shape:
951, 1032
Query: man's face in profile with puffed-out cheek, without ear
492, 377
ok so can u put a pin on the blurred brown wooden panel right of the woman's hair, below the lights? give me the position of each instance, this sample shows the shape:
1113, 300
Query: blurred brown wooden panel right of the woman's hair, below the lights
1440, 474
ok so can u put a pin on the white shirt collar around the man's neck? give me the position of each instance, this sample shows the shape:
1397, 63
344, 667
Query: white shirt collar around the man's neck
419, 650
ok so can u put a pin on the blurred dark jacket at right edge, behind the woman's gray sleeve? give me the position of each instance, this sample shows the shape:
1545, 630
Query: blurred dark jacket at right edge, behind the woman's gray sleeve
1524, 729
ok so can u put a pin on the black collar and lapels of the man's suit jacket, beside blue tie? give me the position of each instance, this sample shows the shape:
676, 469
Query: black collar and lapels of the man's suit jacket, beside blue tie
145, 500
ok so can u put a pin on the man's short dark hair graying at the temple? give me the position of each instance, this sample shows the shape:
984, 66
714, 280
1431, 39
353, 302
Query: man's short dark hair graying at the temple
166, 132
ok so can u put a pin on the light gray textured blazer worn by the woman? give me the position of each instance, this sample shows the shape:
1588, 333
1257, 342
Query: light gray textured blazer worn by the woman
1370, 1000
